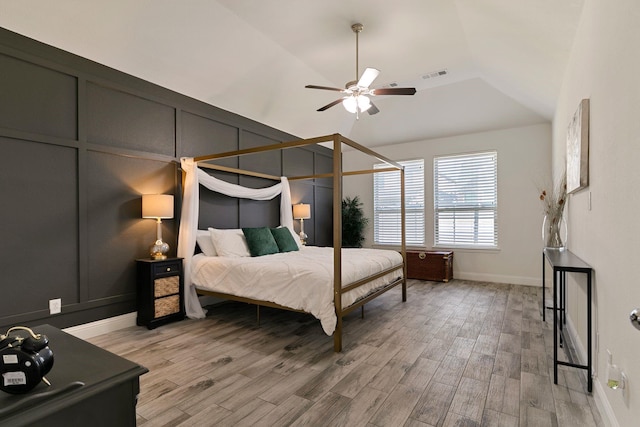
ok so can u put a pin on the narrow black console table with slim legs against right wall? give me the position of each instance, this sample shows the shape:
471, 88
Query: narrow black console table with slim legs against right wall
563, 261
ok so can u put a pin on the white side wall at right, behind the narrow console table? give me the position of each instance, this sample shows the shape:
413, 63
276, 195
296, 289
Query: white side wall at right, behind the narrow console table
605, 67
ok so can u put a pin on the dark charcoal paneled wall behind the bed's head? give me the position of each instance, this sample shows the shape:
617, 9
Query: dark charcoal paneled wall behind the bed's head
80, 143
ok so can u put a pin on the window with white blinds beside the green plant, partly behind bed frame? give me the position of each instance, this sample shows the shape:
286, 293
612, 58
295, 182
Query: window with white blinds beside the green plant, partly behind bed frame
386, 204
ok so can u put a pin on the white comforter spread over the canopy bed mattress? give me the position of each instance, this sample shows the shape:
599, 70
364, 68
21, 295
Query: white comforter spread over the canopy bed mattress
302, 280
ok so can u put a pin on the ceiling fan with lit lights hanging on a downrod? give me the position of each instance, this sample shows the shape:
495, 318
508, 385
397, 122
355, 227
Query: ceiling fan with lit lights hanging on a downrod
357, 92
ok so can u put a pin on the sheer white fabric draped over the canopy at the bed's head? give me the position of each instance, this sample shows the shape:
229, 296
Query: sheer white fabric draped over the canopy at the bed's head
189, 218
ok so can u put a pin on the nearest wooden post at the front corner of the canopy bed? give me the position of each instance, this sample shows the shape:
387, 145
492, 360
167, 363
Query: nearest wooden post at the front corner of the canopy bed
337, 240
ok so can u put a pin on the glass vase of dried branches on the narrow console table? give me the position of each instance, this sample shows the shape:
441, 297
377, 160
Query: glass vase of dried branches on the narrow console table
554, 227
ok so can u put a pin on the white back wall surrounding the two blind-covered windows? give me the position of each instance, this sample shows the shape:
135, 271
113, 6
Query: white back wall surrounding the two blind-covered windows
523, 166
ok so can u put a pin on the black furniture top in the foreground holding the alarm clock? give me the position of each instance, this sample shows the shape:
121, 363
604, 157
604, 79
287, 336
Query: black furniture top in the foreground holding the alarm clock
89, 387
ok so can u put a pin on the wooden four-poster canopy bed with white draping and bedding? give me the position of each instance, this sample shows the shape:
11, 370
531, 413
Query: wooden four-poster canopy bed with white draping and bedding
328, 283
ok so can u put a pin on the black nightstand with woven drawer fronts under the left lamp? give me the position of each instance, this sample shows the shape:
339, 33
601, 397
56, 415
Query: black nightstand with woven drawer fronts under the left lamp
160, 293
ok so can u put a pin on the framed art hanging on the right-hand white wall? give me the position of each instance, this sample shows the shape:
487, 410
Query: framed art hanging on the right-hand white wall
578, 149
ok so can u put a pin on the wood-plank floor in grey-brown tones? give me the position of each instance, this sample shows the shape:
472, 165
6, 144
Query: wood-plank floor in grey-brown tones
455, 354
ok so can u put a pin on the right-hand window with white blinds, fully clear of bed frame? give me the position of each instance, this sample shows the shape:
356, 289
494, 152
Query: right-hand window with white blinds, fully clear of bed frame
466, 200
